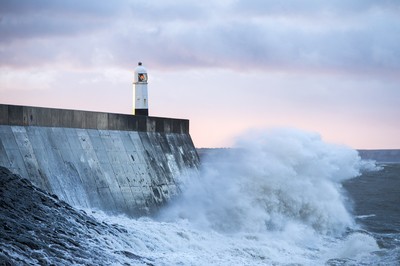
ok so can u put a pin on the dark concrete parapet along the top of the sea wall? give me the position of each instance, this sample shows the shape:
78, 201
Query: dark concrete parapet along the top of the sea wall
48, 117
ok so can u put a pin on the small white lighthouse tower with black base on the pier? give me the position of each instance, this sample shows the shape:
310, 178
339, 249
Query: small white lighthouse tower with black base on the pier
140, 100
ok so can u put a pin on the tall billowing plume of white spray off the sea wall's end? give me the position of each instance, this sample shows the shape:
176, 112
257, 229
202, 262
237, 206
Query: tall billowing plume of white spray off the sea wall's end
272, 180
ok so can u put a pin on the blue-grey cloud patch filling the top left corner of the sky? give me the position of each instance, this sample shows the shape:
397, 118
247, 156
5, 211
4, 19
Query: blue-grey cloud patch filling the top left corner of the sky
48, 19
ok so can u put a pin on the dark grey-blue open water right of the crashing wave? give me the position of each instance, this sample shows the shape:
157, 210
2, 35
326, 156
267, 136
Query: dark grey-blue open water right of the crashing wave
375, 199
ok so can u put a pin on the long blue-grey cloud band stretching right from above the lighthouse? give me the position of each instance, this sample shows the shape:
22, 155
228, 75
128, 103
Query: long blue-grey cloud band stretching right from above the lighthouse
261, 46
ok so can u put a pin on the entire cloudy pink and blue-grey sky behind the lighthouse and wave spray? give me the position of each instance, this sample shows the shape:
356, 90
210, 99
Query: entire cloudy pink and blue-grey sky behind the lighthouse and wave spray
330, 67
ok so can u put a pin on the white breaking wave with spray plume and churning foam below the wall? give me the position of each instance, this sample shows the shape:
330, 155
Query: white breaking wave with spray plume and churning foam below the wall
275, 198
